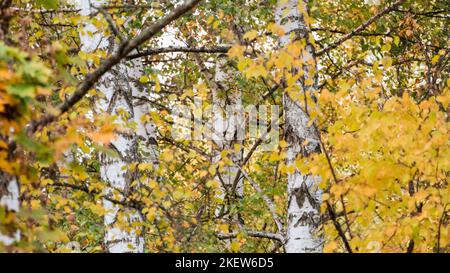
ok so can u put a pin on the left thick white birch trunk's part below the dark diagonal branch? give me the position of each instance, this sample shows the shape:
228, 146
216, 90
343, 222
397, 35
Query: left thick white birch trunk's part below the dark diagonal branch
120, 235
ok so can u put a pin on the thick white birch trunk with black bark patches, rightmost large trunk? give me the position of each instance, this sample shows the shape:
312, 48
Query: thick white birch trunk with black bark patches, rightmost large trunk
303, 194
